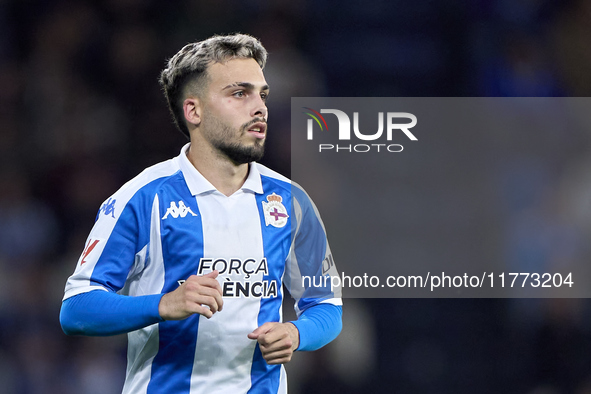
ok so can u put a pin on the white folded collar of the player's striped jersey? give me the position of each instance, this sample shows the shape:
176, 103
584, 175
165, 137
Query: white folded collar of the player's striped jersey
198, 184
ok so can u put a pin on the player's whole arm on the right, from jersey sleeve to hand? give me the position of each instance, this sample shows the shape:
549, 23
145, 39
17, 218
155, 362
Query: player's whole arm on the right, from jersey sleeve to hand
319, 308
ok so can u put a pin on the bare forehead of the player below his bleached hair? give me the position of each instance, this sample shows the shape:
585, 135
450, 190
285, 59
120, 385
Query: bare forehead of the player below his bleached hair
236, 71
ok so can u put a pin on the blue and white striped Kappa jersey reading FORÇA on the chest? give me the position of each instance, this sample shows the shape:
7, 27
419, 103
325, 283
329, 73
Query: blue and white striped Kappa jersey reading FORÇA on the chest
169, 223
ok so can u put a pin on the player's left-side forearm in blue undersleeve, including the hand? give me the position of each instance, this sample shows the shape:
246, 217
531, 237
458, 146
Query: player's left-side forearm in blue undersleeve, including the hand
102, 313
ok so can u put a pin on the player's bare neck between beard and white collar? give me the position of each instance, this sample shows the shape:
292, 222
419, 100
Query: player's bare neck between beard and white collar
226, 176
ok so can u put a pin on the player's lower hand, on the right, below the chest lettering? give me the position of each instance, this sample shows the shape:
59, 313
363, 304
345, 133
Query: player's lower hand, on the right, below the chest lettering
277, 341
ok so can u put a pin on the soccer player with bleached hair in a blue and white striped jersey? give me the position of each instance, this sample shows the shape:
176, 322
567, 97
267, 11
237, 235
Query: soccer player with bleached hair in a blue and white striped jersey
189, 257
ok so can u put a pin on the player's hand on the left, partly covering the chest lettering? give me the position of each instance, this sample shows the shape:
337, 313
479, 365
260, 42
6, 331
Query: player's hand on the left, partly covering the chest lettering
199, 294
